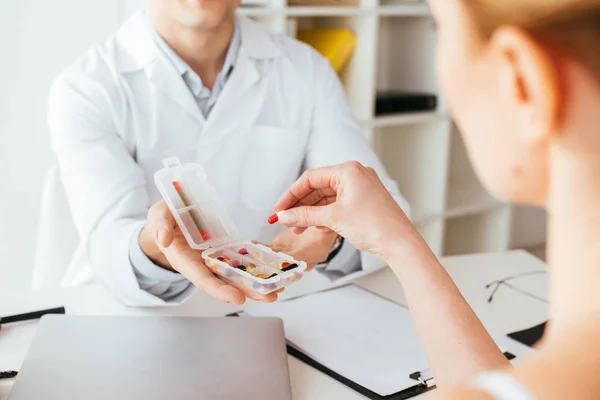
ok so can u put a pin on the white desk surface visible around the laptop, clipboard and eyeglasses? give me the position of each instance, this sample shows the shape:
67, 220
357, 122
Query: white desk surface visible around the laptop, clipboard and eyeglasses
510, 310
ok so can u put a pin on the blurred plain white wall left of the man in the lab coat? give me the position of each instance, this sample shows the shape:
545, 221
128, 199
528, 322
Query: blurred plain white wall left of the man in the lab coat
38, 38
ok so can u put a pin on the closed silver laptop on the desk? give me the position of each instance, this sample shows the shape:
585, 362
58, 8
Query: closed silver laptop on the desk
93, 357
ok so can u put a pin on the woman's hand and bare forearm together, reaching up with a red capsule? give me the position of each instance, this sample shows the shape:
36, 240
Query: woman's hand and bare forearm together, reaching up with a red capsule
351, 200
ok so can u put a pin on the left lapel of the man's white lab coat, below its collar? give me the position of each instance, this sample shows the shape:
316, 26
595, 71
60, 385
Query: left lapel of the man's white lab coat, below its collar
169, 82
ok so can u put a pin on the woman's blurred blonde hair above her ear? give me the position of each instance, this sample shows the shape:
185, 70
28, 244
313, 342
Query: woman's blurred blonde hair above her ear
572, 24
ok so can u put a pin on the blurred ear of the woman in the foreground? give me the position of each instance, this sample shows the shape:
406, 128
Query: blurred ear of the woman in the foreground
528, 83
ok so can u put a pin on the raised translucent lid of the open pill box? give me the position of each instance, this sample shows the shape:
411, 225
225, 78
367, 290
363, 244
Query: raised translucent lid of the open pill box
195, 204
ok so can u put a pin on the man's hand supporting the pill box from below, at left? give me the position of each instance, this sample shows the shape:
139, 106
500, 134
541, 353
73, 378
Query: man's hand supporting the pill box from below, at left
164, 243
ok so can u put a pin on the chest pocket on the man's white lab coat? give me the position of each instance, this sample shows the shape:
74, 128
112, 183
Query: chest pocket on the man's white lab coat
275, 161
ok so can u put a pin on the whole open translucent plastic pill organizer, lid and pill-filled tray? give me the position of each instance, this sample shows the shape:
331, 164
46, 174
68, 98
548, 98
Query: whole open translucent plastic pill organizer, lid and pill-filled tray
206, 225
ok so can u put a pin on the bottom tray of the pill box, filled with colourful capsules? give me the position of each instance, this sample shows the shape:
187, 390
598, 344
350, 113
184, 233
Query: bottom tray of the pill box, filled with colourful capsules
259, 270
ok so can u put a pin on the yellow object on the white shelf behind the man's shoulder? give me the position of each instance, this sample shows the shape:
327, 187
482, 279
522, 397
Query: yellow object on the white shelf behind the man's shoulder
334, 44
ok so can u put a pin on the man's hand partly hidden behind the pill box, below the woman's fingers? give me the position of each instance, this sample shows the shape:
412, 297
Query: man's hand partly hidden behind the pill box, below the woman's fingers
312, 246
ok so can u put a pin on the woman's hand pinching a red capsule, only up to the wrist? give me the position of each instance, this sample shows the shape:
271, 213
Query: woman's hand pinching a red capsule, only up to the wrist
351, 200
